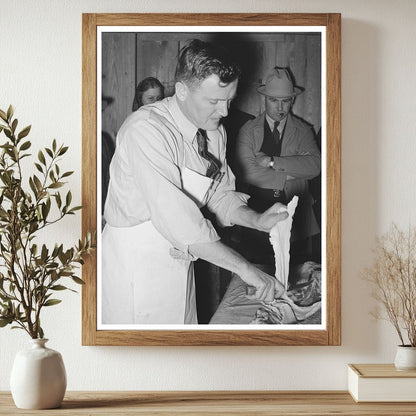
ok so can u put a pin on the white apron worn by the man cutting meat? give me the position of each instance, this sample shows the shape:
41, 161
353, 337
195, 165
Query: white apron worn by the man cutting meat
141, 282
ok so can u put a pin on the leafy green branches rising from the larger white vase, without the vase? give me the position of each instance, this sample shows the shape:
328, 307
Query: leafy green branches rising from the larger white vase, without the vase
31, 273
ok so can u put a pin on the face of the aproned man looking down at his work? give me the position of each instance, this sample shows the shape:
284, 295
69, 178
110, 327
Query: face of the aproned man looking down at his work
205, 104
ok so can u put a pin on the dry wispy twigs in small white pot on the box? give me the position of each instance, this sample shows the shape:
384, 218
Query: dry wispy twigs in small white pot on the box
393, 277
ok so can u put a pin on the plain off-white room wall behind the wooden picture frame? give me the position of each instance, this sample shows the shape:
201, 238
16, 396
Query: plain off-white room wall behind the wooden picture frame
40, 73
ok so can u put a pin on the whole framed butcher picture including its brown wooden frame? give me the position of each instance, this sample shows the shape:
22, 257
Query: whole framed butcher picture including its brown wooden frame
173, 148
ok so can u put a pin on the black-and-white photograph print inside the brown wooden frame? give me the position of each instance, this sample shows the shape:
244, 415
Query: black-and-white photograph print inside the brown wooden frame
211, 184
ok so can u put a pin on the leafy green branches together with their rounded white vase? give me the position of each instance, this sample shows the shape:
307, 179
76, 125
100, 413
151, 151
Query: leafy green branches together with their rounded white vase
31, 273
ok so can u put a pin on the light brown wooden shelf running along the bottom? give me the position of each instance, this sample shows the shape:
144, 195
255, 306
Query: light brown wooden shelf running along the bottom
178, 403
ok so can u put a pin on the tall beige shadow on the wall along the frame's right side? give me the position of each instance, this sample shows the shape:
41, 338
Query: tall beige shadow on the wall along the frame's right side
360, 180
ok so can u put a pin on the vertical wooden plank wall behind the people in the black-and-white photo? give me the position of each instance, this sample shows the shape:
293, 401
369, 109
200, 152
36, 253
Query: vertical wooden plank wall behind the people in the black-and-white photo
156, 55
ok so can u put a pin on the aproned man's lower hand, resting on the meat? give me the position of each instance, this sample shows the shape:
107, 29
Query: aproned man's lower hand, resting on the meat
262, 286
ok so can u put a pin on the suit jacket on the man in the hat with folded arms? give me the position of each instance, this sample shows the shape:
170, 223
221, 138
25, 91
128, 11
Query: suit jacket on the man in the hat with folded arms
300, 160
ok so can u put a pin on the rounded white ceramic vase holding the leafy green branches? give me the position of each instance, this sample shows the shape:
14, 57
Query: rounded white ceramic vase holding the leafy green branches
38, 377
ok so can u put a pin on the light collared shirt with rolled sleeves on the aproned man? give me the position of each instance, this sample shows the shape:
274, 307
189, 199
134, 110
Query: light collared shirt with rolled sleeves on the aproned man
153, 145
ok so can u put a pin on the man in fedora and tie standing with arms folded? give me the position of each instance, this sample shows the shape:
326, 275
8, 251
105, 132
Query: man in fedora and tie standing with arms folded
276, 155
